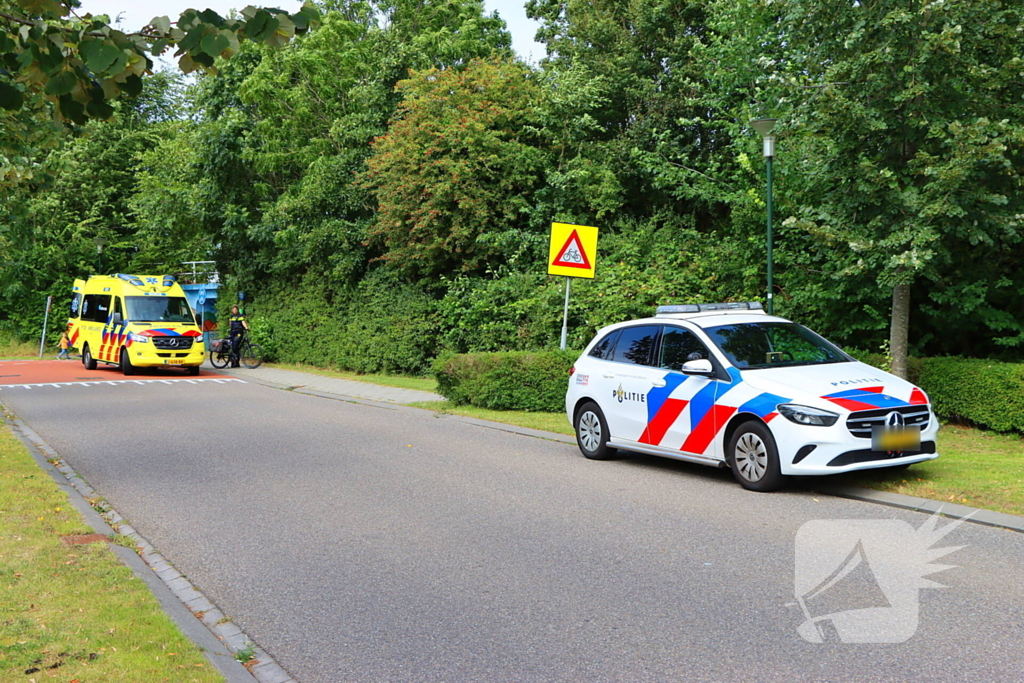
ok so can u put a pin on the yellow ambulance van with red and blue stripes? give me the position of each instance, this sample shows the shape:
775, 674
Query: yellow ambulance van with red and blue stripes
135, 322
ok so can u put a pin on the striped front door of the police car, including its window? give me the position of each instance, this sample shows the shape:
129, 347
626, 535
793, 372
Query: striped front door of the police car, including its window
687, 419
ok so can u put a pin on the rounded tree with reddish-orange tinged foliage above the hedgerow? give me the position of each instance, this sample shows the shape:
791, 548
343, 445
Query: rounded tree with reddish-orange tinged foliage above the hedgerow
454, 176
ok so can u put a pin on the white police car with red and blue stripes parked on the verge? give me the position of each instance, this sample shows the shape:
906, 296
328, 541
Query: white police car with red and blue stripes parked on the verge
727, 386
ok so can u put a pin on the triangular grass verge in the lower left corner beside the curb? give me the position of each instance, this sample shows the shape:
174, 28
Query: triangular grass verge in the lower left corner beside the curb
75, 612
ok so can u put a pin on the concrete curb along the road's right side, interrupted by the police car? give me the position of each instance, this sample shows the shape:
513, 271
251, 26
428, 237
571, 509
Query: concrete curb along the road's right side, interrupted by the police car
975, 516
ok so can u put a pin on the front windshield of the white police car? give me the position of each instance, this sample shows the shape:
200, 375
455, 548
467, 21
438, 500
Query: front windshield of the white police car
755, 346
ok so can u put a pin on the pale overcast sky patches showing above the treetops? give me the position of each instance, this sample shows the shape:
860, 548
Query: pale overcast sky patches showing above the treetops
137, 14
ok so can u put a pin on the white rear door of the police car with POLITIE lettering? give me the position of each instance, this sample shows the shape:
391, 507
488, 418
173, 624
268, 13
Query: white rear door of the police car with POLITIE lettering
633, 378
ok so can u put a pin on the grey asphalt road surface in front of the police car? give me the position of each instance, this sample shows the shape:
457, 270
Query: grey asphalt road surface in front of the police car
358, 543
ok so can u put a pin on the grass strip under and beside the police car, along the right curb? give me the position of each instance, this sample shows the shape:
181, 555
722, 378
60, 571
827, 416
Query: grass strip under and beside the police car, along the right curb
976, 468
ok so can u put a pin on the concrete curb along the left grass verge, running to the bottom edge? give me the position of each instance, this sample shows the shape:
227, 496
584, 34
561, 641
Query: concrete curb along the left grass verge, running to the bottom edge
198, 618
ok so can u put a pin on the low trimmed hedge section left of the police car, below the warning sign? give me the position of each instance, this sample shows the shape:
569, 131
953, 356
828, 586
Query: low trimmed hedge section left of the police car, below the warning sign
532, 381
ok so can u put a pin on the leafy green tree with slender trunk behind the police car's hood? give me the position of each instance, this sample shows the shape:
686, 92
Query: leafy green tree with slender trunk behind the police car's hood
910, 141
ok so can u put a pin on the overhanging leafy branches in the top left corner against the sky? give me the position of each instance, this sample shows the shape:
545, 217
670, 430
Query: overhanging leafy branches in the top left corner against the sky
58, 67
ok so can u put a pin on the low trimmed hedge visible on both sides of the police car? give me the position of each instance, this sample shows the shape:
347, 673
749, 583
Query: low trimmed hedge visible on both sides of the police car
987, 394
